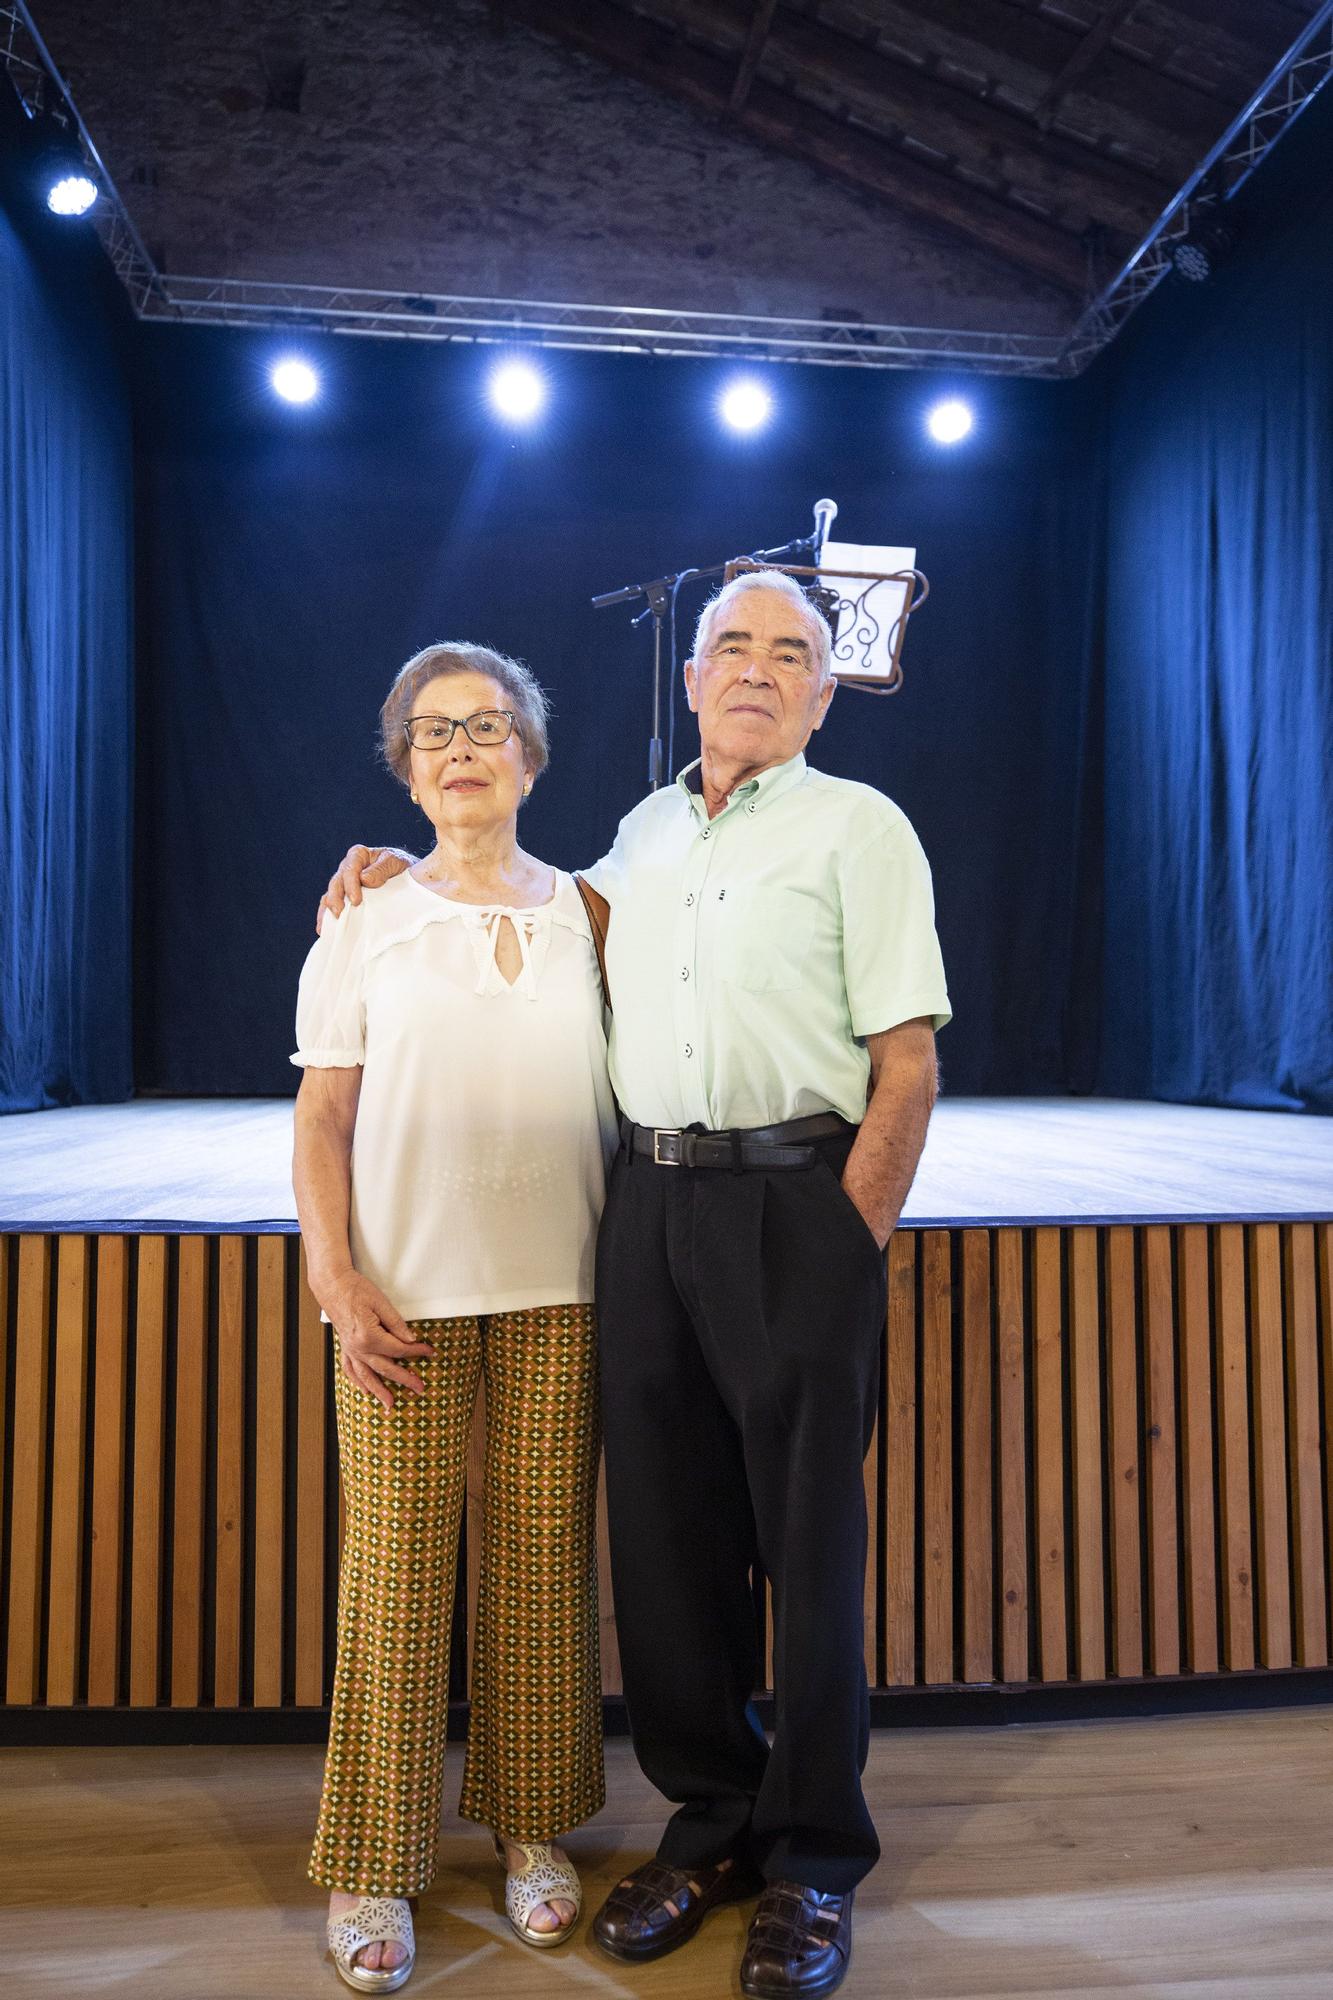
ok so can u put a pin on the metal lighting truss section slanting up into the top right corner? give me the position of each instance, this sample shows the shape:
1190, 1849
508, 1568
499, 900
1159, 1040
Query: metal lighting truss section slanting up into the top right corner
1252, 135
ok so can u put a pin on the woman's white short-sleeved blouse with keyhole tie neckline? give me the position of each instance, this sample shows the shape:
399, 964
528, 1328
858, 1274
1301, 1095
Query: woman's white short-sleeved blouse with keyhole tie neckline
485, 1117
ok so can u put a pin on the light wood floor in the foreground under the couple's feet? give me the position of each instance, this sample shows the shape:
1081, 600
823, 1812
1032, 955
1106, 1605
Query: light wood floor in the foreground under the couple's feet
1176, 1859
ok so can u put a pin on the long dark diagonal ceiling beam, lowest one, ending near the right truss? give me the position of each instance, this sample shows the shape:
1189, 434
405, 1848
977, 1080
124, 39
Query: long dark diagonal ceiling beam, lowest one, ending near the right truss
700, 79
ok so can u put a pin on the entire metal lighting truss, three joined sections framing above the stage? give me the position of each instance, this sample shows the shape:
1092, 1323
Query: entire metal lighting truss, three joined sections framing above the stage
155, 295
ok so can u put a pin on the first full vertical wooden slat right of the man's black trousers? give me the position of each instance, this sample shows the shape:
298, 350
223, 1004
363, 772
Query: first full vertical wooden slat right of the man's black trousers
902, 1465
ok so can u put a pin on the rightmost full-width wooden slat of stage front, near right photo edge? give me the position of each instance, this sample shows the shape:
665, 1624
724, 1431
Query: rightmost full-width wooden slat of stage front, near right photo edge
1308, 1553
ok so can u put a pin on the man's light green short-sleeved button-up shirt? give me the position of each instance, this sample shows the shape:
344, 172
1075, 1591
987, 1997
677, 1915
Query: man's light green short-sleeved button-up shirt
752, 955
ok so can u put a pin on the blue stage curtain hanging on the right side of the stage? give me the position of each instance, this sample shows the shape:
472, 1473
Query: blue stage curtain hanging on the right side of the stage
1220, 665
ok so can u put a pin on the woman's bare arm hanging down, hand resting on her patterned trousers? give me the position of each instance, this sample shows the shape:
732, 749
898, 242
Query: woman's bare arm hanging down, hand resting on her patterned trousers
373, 1335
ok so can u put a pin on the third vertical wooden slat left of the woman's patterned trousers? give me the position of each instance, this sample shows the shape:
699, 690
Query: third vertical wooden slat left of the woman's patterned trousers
231, 1471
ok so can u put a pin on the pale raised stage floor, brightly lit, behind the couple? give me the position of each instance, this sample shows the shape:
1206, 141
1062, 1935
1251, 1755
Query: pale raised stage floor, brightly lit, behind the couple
225, 1165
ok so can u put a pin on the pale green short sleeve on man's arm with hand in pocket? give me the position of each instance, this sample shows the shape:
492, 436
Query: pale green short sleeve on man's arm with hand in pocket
892, 957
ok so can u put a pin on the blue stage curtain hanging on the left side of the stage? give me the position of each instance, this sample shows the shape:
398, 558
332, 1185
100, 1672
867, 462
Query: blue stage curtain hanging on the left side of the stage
67, 649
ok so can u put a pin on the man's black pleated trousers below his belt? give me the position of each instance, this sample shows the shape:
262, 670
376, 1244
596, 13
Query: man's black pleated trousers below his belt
742, 1325
